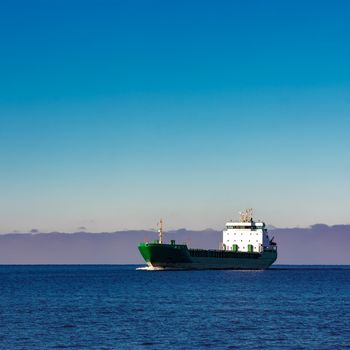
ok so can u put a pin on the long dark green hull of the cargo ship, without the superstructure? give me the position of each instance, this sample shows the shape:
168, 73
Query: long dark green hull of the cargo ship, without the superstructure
180, 257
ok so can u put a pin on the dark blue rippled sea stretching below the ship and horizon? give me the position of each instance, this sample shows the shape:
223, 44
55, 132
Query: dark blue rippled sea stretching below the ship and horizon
122, 307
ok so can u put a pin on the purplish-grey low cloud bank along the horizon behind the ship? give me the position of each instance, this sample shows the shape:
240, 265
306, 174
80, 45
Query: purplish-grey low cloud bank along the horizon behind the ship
319, 244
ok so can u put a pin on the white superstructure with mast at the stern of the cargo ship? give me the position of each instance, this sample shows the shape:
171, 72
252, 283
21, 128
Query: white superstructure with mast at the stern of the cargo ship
246, 235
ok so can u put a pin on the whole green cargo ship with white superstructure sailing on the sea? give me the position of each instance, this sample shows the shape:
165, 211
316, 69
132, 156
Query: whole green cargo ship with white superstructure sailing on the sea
245, 246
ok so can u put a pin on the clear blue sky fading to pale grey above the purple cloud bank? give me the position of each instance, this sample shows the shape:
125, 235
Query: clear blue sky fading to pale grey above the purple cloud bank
116, 113
